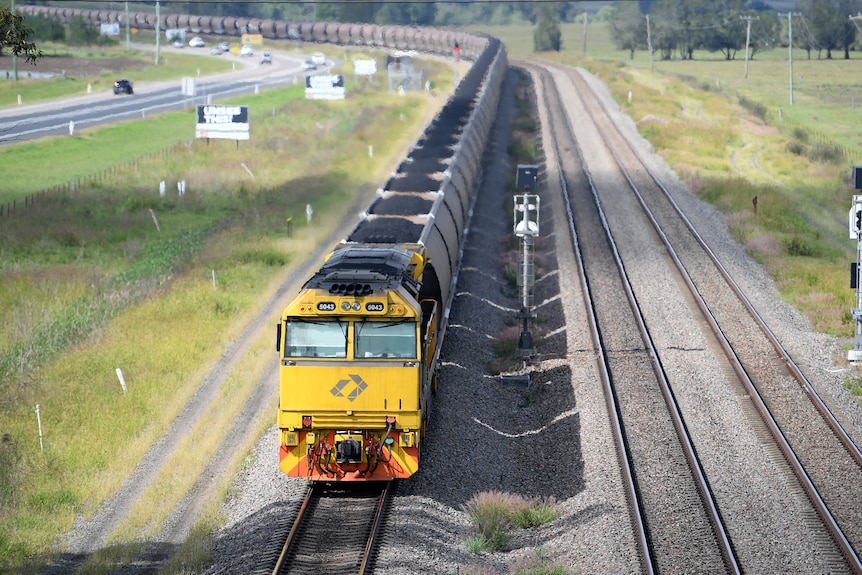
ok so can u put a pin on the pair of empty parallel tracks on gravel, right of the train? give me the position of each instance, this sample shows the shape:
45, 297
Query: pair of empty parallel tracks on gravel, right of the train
696, 506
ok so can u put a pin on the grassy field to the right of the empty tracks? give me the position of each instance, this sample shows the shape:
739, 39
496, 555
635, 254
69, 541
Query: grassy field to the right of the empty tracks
732, 139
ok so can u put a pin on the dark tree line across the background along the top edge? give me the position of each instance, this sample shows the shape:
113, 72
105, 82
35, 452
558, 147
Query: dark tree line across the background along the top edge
670, 28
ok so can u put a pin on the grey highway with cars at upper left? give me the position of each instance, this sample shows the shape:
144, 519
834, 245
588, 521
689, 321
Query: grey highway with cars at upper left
64, 117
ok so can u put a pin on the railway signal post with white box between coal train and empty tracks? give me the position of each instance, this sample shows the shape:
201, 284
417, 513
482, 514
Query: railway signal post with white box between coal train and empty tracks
526, 216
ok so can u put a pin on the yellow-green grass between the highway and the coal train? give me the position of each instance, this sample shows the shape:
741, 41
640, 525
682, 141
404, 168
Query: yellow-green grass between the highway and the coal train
143, 300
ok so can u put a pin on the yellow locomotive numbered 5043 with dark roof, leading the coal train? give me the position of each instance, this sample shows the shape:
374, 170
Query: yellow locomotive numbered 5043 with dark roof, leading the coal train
357, 367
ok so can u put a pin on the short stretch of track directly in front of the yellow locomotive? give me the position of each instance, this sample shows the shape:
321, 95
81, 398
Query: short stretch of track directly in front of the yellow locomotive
336, 530
